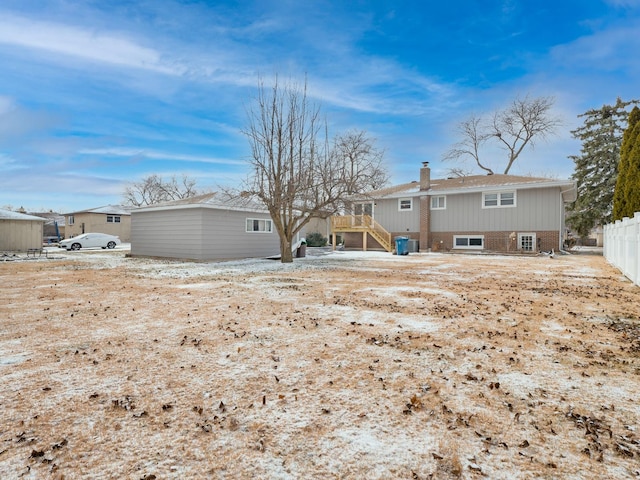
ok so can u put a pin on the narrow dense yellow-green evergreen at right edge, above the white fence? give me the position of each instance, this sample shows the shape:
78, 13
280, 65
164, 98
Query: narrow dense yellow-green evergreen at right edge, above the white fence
626, 199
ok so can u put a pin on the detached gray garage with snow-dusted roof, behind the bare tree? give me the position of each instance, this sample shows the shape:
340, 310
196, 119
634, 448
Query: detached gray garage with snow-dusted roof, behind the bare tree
207, 227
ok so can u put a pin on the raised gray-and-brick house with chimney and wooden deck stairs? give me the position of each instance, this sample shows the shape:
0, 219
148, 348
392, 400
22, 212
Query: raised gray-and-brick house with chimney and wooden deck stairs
502, 213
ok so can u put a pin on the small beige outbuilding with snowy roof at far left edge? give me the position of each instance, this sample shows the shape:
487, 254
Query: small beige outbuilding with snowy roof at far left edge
20, 232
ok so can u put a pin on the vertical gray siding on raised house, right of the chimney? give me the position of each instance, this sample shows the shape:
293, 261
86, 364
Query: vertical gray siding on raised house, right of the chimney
536, 210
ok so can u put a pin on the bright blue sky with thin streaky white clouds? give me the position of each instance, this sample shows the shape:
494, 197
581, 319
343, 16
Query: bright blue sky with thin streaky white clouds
96, 94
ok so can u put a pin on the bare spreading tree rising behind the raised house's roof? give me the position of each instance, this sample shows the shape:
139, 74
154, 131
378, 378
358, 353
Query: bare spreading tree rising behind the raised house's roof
522, 123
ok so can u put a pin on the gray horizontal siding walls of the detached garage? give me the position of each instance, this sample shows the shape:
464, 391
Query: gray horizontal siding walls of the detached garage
199, 234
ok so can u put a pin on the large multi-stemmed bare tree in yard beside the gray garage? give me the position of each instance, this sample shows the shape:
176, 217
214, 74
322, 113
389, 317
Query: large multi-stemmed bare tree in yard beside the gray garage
295, 171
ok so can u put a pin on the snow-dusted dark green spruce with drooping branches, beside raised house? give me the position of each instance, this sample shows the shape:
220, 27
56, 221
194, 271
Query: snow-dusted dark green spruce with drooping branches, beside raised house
596, 168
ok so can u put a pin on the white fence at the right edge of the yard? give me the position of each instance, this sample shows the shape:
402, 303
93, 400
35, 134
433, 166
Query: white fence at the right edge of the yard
622, 246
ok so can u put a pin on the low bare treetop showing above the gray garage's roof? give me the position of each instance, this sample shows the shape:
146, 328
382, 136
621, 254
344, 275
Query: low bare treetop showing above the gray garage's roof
153, 189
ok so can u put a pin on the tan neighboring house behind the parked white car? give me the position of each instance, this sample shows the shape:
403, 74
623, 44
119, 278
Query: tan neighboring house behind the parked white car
111, 219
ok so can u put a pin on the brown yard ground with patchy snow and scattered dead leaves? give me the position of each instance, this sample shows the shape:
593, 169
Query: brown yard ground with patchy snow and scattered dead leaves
341, 365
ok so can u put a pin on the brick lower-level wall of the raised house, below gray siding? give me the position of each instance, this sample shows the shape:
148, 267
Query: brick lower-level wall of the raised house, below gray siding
495, 241
